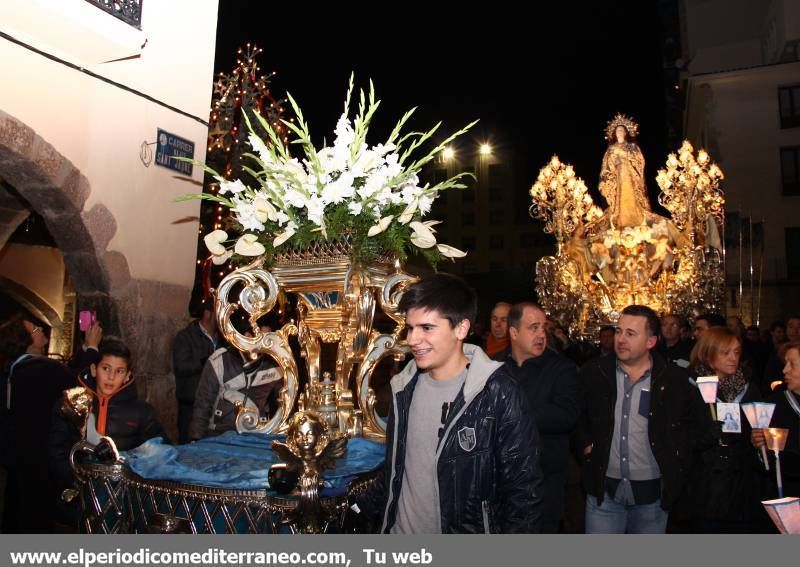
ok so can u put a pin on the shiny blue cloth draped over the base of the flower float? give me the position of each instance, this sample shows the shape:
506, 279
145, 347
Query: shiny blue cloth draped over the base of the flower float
241, 462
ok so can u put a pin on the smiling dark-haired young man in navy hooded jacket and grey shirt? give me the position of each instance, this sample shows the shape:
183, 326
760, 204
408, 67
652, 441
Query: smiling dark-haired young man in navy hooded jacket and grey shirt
462, 448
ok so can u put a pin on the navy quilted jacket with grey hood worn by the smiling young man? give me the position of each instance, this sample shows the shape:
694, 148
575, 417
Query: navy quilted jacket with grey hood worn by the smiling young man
488, 477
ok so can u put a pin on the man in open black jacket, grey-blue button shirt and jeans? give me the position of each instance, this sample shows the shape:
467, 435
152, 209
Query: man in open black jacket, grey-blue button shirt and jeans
640, 419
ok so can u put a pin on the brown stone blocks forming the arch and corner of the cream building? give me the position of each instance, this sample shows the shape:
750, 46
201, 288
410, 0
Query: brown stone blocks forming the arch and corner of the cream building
146, 314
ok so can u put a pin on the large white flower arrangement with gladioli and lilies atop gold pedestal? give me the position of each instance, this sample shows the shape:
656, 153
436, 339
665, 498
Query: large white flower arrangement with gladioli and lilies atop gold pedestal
368, 194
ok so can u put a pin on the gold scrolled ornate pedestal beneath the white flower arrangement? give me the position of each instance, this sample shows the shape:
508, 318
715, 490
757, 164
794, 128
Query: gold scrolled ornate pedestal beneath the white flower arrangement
336, 303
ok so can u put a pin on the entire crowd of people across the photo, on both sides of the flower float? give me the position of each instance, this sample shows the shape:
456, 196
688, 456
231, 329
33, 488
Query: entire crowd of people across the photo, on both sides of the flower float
524, 430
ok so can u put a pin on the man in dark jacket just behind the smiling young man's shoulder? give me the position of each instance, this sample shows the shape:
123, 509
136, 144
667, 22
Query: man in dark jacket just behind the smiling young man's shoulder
549, 381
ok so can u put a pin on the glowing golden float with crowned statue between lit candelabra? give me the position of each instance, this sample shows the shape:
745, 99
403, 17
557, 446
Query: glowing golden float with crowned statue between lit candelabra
629, 254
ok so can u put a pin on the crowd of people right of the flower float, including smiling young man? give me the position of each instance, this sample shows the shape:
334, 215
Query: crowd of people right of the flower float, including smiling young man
624, 417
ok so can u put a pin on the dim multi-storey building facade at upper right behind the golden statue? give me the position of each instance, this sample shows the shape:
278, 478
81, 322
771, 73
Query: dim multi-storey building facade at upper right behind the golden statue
741, 77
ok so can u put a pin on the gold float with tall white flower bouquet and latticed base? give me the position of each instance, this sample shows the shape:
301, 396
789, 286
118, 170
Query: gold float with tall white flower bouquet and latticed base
329, 232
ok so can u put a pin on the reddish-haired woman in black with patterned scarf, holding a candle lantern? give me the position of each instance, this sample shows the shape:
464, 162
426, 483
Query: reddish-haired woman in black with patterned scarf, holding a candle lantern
722, 486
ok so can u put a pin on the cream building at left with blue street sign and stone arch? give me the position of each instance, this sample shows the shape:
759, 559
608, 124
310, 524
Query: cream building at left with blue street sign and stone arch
87, 89
